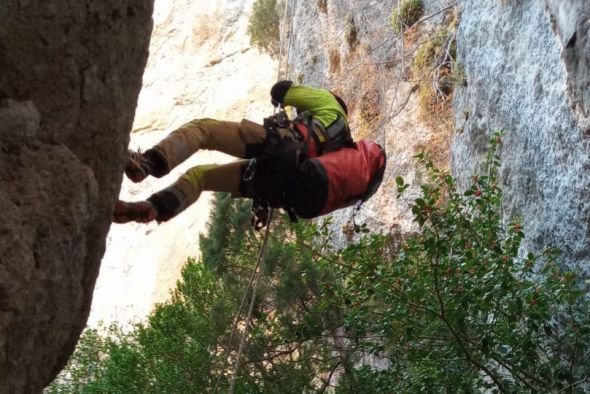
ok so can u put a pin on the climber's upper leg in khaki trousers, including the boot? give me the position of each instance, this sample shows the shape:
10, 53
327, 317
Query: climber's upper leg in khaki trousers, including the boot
243, 140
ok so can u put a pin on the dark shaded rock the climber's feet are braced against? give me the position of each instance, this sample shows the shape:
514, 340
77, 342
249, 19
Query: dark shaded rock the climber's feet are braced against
70, 74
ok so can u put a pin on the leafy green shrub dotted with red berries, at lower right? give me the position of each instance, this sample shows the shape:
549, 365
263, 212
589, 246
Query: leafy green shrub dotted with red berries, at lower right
459, 306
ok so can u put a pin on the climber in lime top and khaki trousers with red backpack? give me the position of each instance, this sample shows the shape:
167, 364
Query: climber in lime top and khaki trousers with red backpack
308, 166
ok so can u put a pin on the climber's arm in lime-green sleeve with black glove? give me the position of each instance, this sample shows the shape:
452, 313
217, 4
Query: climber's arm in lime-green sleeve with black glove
320, 102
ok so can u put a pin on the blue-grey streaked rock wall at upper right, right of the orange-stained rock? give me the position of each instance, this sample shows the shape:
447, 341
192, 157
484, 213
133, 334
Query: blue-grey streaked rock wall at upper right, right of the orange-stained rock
526, 64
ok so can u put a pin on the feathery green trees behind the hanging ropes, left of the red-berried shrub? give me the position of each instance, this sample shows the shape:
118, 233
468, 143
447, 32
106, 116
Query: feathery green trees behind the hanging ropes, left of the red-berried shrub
180, 348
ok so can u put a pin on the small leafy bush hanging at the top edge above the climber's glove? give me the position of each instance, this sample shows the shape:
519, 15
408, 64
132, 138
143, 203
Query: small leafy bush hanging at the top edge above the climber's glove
264, 27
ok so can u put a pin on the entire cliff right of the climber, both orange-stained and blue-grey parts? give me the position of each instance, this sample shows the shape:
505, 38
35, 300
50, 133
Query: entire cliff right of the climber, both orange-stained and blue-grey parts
526, 71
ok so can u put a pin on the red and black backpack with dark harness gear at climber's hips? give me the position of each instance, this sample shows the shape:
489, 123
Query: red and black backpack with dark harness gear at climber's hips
308, 180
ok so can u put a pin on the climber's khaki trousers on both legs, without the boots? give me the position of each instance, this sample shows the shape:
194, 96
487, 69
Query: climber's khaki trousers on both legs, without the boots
242, 140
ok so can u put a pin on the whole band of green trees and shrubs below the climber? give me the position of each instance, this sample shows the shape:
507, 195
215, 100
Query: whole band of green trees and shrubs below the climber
456, 307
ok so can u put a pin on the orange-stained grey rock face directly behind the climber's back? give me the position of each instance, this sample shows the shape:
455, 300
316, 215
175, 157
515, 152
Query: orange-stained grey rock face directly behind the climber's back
351, 48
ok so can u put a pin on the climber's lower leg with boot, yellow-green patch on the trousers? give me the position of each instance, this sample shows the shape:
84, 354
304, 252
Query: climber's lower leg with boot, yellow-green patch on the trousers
167, 203
